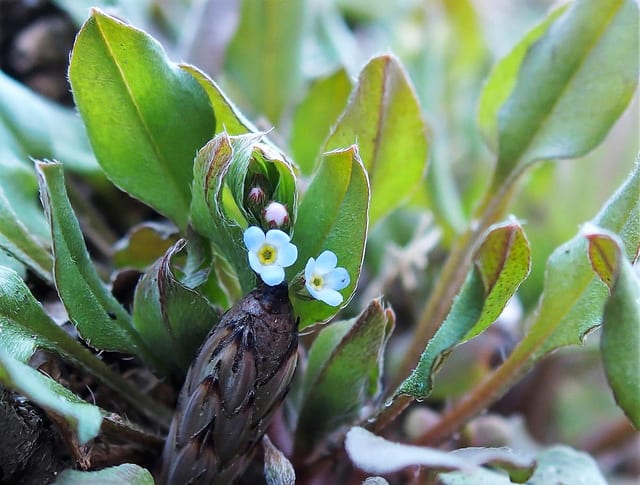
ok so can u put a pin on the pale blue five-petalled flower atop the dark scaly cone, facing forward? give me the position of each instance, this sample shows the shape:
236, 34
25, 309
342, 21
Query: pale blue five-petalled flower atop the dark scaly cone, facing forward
269, 253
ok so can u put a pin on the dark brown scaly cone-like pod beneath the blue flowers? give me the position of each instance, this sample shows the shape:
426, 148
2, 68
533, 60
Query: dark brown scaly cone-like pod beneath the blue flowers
240, 376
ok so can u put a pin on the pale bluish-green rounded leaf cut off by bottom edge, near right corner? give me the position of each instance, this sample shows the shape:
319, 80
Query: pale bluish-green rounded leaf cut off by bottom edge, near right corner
561, 464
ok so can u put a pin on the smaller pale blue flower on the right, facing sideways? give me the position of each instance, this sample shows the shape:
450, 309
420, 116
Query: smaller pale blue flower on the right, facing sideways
323, 279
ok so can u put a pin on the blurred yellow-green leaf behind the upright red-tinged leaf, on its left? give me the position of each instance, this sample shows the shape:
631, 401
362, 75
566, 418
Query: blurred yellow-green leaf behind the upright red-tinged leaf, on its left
315, 116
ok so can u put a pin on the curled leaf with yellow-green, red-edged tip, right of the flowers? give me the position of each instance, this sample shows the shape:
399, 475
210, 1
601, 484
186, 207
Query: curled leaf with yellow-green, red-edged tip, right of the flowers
501, 264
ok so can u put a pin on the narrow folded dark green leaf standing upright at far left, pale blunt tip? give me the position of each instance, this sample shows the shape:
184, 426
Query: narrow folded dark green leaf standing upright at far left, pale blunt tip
100, 319
